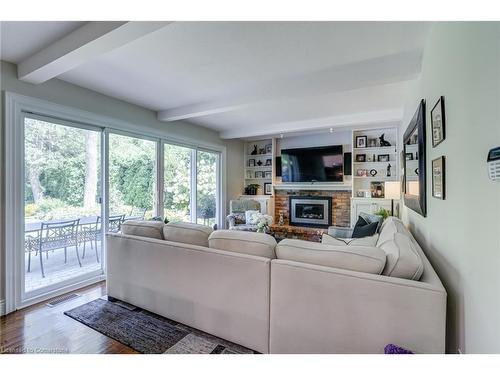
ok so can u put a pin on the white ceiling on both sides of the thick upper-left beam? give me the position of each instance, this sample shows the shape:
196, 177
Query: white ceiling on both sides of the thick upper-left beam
249, 78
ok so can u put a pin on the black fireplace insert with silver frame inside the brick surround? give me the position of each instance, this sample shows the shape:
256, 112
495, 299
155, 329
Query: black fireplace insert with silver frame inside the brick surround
310, 211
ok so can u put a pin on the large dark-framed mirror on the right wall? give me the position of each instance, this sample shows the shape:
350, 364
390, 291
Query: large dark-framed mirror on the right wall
416, 130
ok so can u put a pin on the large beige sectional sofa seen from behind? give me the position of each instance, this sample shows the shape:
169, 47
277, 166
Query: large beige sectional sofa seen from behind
291, 297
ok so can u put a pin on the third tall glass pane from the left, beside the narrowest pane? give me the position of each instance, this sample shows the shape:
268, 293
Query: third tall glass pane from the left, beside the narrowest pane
177, 183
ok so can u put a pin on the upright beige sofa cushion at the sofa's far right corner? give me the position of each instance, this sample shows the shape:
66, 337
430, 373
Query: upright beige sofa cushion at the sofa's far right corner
403, 259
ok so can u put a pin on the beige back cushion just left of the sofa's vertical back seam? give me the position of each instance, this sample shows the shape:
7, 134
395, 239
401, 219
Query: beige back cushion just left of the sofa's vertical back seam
251, 243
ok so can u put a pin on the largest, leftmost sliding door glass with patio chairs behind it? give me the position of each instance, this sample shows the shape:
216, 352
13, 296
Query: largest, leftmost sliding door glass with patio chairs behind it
62, 184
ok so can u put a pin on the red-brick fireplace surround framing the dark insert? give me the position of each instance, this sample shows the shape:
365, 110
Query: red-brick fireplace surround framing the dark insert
341, 204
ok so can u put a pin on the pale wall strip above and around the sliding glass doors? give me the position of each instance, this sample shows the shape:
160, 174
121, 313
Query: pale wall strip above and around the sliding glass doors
63, 93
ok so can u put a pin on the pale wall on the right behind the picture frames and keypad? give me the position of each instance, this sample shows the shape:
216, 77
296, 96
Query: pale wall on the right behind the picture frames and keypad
461, 235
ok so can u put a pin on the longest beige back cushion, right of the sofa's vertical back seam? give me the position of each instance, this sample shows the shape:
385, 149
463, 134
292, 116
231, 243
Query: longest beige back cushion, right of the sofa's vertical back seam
355, 258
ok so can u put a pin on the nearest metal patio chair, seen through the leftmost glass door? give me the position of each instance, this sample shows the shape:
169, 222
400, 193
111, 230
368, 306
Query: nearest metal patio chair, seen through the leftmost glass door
58, 235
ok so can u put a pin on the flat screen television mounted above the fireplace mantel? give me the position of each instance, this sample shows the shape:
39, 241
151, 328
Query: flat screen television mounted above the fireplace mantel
313, 164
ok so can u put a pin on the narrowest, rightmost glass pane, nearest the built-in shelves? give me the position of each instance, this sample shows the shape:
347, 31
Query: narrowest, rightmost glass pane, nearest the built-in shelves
206, 188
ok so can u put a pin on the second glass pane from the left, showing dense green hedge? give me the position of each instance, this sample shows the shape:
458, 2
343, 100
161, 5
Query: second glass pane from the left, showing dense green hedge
132, 177
